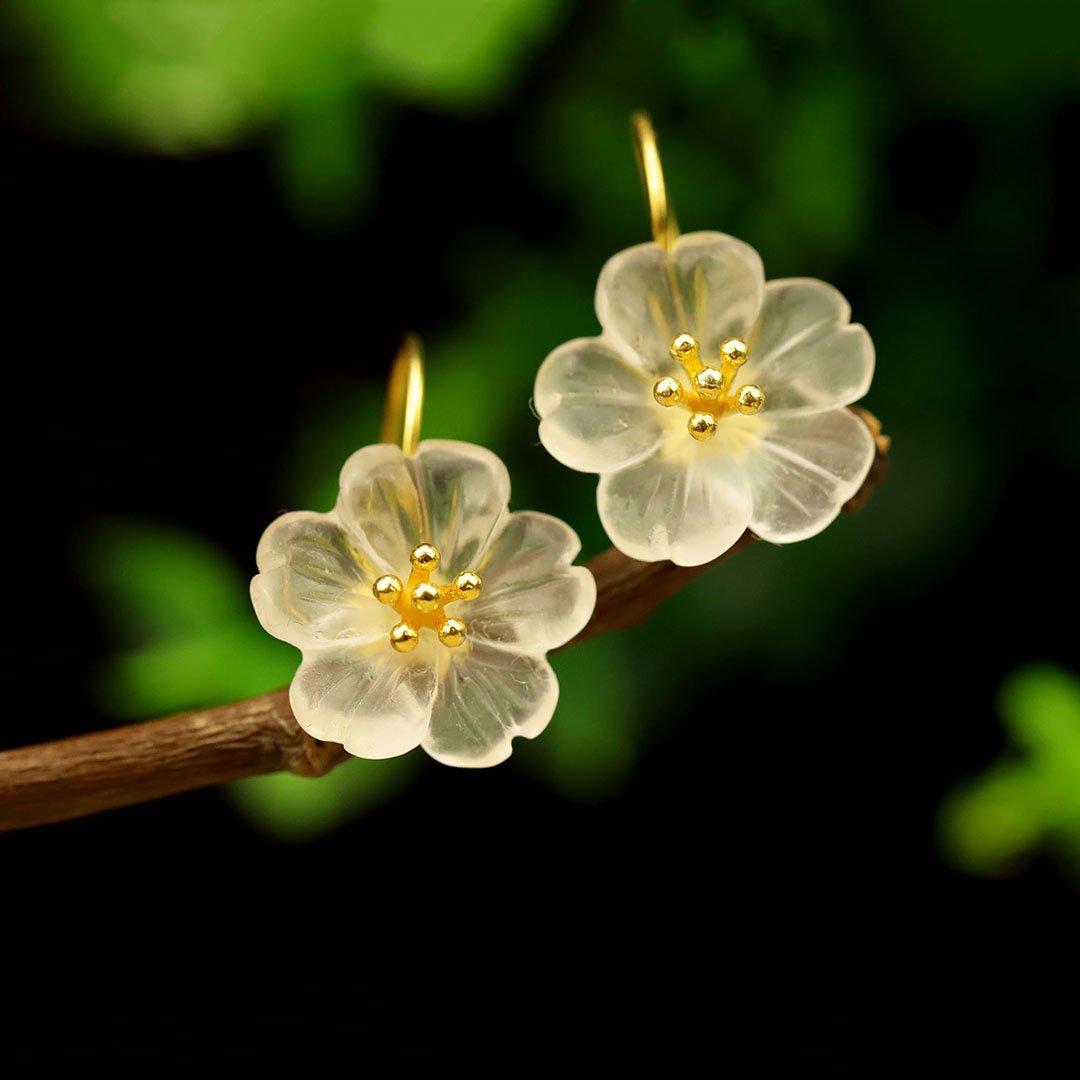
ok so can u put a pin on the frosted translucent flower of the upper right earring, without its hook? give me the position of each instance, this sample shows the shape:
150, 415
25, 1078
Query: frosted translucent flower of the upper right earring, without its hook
712, 401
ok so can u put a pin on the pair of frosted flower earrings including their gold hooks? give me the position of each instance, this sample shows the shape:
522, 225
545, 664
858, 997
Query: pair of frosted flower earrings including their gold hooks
711, 403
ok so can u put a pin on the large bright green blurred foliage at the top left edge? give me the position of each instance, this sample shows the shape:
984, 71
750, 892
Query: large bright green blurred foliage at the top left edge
183, 76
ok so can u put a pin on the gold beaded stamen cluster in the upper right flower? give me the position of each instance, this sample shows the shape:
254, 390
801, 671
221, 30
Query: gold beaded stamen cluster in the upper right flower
707, 400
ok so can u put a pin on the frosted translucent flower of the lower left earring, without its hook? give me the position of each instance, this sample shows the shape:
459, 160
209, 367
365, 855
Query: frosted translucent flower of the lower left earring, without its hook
410, 537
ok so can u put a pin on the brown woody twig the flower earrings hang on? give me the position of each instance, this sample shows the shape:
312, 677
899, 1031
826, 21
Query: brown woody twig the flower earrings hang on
115, 768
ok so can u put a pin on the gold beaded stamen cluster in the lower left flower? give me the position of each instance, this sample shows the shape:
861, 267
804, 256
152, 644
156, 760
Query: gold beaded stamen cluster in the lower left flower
421, 602
